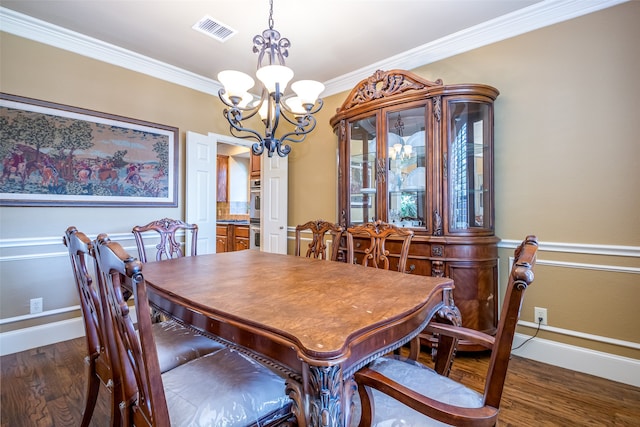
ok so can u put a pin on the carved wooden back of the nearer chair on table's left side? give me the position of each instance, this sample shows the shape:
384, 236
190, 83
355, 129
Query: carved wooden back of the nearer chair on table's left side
144, 402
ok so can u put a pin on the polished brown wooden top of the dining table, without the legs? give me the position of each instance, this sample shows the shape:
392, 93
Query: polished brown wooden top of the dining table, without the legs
316, 307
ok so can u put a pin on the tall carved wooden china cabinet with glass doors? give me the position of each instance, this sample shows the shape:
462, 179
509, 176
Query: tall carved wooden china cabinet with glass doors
420, 154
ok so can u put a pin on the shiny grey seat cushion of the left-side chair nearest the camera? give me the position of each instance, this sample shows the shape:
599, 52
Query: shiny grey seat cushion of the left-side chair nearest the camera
225, 389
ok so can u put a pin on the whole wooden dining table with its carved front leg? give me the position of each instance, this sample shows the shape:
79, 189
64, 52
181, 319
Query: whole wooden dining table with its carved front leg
315, 321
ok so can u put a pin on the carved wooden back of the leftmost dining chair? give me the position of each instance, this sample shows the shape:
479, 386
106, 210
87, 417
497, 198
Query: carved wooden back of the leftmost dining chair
98, 359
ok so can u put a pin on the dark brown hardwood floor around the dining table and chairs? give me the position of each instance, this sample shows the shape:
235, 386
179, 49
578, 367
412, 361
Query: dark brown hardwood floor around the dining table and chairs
45, 387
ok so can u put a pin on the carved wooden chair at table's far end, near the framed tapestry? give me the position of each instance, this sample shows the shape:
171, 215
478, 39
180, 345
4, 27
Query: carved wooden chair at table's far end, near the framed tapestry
169, 246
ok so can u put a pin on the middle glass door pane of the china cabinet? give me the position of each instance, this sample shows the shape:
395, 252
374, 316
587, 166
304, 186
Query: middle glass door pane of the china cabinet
406, 170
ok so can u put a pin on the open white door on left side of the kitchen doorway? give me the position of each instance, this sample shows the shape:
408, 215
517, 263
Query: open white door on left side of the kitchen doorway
201, 189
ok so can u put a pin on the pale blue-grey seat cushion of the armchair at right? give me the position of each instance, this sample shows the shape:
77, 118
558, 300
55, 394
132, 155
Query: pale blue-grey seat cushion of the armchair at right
389, 412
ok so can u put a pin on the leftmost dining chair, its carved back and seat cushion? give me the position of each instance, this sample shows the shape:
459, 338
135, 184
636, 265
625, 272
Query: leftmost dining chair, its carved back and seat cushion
176, 343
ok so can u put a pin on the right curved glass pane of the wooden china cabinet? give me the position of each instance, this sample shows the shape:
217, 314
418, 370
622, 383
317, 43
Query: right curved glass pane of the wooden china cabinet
468, 164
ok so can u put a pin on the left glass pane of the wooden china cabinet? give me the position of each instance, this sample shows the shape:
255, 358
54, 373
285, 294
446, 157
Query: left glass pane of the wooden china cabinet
362, 170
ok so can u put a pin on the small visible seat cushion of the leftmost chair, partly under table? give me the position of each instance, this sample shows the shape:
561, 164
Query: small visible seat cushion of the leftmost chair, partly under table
178, 344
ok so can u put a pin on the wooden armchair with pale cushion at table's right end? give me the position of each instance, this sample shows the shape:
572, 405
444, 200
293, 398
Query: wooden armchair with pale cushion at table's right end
406, 393
